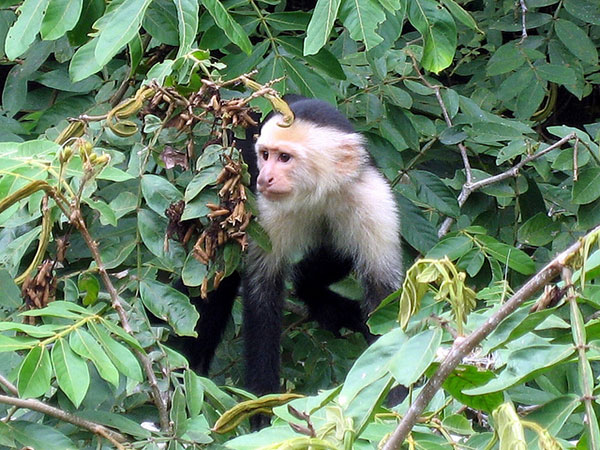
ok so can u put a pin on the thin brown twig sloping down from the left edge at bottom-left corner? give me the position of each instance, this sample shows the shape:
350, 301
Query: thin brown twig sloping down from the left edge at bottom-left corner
114, 437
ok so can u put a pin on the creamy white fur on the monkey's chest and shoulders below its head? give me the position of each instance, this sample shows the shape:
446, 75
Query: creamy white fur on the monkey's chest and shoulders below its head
359, 220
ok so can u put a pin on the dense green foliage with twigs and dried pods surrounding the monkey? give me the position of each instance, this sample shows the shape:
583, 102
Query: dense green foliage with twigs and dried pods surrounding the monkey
482, 114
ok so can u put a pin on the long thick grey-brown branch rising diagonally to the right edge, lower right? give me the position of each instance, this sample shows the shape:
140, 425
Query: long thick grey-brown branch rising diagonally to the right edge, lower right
463, 348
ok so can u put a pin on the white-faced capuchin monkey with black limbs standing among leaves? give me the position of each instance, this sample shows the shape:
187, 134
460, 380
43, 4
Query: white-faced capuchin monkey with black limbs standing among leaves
327, 211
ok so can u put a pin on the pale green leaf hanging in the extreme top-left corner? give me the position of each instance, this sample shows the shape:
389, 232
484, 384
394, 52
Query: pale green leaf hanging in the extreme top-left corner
23, 32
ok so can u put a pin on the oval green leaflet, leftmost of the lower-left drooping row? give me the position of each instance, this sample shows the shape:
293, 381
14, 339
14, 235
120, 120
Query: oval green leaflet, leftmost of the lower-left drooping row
34, 373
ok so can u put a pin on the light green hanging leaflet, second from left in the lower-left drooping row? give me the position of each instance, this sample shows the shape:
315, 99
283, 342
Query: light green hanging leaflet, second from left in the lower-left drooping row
72, 373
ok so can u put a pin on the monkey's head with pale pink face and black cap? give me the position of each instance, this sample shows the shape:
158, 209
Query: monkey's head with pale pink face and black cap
319, 153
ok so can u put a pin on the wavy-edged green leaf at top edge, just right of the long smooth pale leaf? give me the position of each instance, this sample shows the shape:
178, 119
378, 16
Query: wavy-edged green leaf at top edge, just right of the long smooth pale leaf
361, 18
